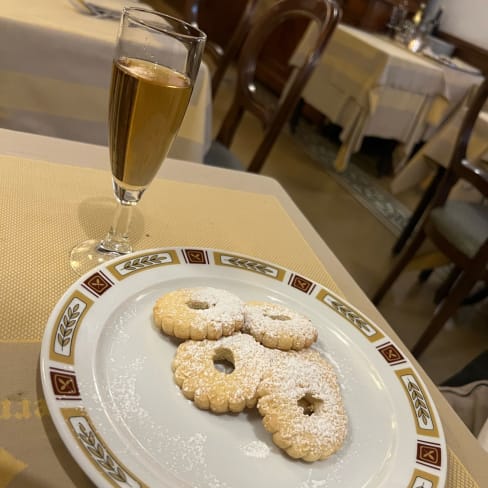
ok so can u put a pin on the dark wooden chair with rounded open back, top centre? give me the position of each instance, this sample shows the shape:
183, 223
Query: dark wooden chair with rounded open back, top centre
325, 14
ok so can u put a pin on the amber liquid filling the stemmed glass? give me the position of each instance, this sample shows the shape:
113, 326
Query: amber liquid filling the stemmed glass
147, 105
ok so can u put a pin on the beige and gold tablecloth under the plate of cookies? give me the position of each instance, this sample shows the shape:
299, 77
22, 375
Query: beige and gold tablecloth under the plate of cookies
46, 208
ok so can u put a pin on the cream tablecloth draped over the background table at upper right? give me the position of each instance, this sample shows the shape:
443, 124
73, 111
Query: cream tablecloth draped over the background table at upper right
371, 86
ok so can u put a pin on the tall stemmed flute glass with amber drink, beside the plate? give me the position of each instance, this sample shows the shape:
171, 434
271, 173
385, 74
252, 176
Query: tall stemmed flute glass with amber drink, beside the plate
155, 66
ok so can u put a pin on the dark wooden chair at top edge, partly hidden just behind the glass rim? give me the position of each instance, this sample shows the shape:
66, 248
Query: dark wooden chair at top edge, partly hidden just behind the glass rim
240, 19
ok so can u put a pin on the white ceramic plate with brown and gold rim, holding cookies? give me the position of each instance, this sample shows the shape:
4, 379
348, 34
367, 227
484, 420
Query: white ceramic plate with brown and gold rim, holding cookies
106, 375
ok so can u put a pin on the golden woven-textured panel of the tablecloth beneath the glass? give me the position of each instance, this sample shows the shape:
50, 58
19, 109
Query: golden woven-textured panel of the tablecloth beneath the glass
46, 209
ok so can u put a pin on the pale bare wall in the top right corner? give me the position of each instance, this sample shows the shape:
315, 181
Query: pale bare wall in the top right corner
466, 19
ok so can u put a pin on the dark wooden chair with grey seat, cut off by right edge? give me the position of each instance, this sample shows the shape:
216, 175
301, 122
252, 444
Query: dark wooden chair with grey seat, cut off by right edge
458, 229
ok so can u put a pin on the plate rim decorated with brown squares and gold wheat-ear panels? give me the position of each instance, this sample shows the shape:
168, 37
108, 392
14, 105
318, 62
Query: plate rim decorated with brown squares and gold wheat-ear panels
58, 366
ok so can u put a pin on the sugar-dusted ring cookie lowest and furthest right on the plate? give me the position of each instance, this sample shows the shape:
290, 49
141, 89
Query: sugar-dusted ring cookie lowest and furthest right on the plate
301, 404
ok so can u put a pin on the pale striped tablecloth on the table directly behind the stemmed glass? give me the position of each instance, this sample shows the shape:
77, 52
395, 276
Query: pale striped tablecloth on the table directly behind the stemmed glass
55, 68
